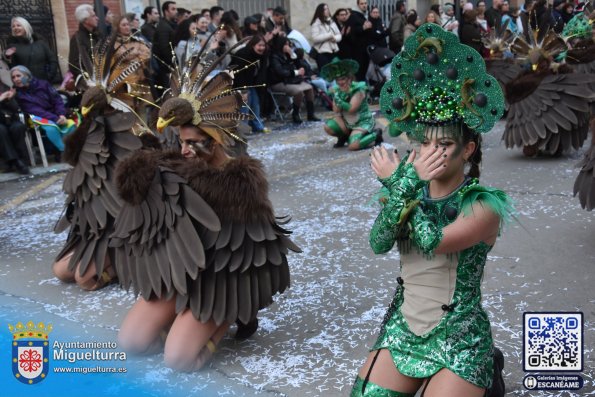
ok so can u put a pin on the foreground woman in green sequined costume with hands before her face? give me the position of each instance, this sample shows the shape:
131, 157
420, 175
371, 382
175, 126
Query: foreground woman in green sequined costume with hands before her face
435, 334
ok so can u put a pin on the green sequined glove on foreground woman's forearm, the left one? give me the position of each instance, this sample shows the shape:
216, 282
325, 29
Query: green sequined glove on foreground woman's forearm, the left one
391, 223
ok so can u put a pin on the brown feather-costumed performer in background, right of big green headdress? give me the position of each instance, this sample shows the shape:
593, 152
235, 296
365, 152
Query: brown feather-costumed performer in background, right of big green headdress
548, 103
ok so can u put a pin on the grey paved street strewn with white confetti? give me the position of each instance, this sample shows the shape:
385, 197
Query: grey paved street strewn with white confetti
312, 341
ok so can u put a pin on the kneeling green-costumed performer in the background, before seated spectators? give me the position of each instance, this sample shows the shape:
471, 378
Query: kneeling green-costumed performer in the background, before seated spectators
353, 123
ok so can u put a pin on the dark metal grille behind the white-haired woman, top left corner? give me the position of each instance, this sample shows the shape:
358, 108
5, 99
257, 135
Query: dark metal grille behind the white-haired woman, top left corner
37, 12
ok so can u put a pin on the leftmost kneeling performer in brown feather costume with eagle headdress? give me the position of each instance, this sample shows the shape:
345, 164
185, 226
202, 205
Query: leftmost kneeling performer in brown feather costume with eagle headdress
94, 150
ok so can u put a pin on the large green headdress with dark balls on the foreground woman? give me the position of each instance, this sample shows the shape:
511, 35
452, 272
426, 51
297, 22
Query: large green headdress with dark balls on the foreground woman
438, 82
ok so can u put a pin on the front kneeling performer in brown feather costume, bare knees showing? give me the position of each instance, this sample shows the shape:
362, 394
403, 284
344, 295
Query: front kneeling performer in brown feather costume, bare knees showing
197, 237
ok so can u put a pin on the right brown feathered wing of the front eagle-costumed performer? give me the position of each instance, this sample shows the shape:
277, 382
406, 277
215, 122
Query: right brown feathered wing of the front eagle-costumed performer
247, 260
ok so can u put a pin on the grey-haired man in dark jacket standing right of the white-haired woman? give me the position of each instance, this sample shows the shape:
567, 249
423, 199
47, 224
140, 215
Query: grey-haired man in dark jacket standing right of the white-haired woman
79, 56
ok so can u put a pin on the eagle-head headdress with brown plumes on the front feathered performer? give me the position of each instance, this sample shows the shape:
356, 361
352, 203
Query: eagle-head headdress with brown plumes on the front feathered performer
210, 104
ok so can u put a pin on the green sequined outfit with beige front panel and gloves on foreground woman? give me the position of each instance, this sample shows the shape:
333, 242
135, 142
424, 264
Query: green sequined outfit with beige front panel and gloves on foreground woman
435, 320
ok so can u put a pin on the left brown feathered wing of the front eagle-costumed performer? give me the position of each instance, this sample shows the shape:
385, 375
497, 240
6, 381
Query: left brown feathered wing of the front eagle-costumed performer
160, 231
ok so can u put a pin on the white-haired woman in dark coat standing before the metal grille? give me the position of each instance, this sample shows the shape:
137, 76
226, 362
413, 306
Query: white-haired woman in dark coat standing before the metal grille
25, 48
